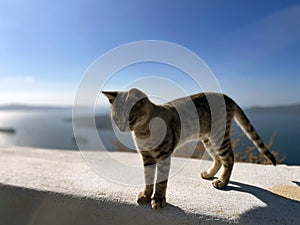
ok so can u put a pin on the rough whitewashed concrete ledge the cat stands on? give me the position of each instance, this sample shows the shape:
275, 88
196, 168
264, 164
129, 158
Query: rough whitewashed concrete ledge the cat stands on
39, 186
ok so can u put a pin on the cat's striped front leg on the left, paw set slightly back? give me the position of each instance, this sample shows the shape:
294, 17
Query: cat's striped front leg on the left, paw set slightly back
149, 162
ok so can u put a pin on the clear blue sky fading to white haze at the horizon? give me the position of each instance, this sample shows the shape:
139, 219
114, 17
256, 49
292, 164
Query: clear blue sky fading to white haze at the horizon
253, 47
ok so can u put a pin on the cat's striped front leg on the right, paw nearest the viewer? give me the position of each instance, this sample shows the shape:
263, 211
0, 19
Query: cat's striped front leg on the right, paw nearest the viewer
159, 198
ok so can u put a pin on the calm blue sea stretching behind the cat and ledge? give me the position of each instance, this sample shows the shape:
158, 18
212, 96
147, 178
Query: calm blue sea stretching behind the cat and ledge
48, 129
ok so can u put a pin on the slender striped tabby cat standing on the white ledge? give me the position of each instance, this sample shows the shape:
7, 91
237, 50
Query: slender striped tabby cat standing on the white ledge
133, 111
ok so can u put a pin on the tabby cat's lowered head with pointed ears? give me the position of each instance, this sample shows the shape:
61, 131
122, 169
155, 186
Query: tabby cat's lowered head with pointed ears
128, 109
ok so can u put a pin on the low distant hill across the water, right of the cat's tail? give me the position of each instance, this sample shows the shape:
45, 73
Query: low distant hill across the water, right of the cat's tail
295, 109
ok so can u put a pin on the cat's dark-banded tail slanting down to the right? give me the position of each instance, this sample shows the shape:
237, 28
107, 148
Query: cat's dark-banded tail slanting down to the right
249, 130
